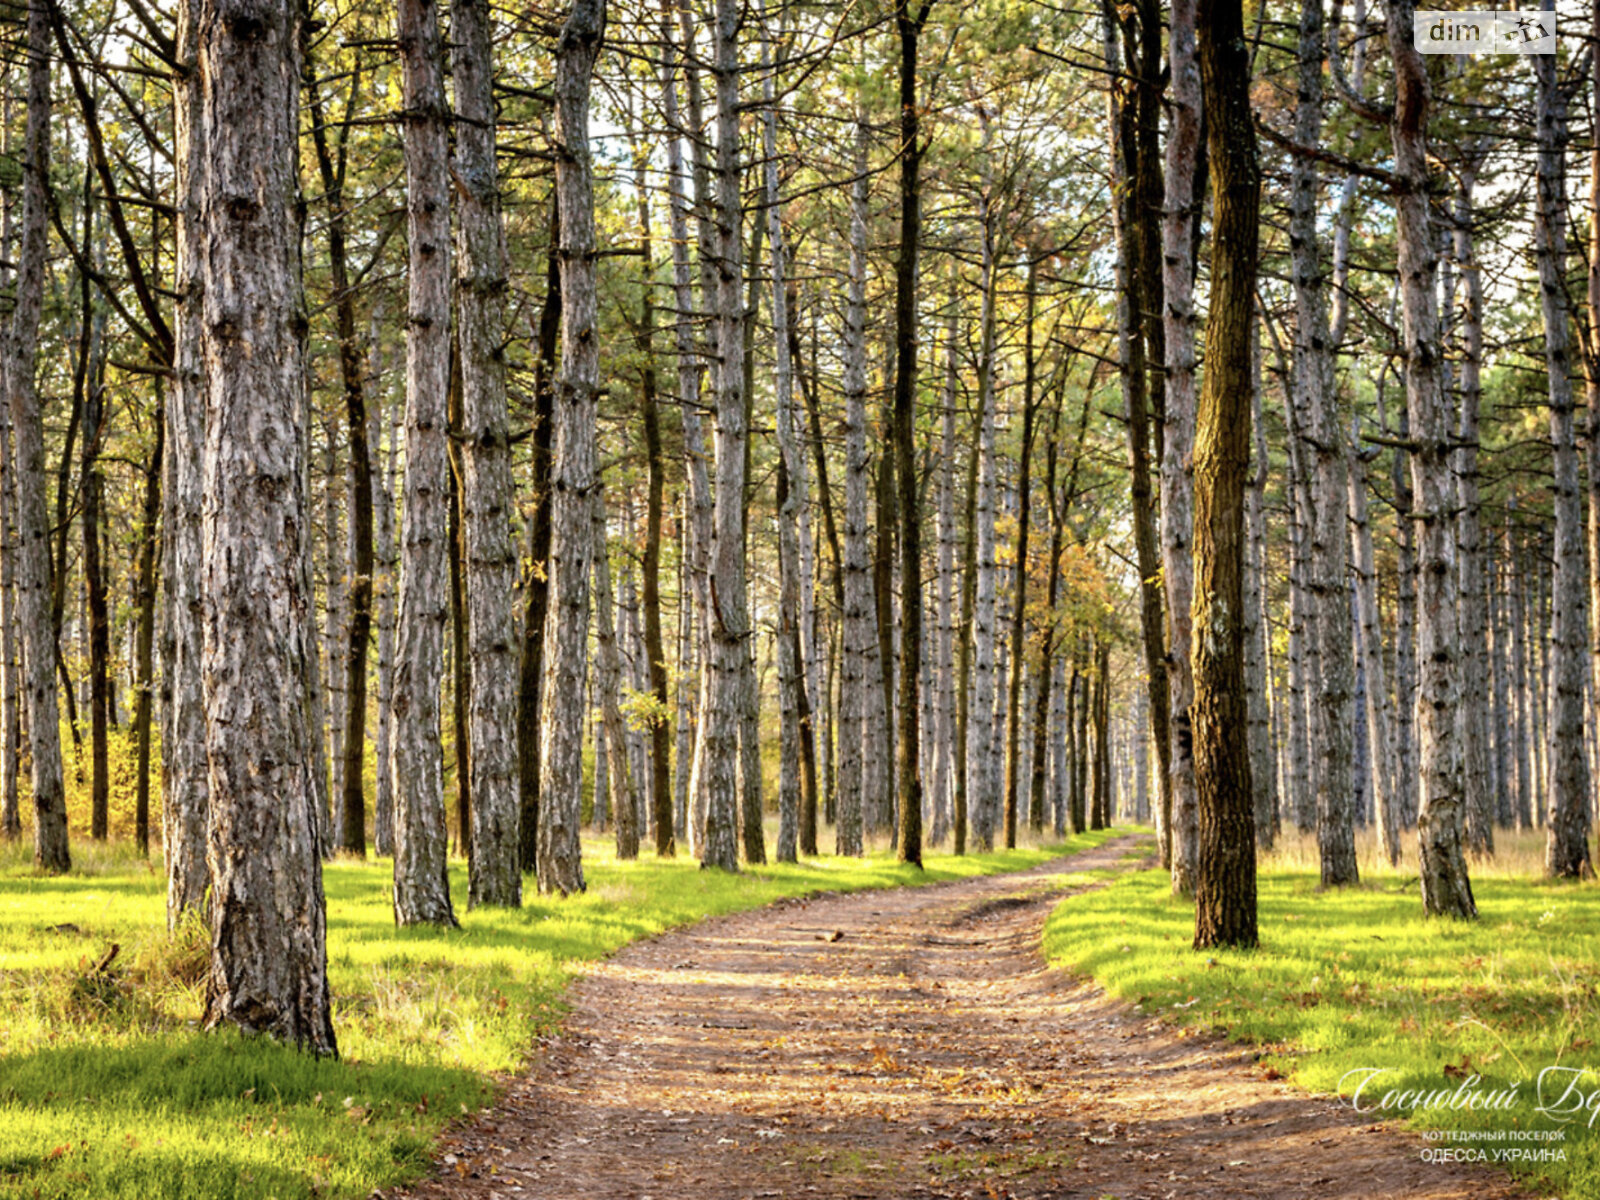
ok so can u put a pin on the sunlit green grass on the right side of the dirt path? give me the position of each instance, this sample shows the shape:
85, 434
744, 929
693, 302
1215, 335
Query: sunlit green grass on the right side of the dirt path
1359, 980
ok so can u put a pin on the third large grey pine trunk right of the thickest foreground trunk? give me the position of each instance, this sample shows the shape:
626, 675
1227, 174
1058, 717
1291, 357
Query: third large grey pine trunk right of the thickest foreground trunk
574, 473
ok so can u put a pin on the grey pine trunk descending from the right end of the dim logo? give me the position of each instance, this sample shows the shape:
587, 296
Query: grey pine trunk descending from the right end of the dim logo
1567, 847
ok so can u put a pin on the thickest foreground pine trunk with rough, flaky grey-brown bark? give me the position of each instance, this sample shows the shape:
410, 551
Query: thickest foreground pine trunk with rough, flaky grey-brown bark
268, 916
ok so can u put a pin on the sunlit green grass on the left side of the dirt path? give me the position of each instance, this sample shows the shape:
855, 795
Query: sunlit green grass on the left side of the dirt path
110, 1090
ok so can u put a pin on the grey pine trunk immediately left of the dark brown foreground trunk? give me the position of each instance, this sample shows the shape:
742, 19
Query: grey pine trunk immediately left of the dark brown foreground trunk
1178, 268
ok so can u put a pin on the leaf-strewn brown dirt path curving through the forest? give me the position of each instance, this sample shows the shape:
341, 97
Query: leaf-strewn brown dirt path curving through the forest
906, 1044
